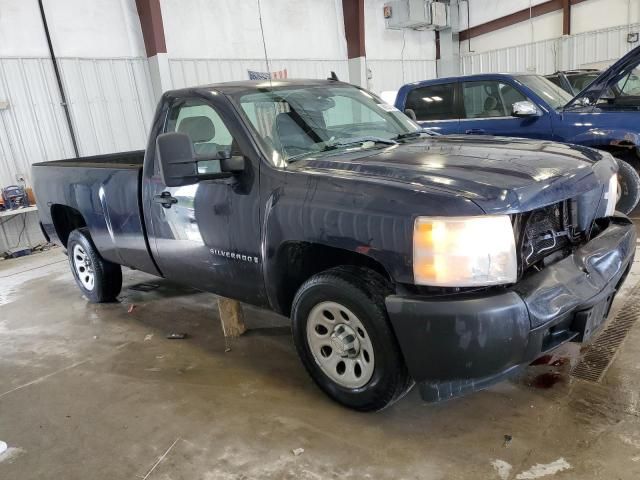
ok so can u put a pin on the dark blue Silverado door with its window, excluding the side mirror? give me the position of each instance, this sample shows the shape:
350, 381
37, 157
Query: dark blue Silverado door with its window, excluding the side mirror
208, 235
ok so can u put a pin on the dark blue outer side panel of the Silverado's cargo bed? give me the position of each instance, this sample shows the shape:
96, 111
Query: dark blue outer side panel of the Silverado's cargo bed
106, 191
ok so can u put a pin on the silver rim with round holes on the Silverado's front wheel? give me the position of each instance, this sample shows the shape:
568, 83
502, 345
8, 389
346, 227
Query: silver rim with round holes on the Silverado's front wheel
340, 345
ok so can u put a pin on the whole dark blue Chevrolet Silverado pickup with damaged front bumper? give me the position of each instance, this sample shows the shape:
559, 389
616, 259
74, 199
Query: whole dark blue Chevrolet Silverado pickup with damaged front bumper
400, 257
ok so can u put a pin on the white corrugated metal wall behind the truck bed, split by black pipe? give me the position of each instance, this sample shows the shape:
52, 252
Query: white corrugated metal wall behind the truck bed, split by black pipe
111, 107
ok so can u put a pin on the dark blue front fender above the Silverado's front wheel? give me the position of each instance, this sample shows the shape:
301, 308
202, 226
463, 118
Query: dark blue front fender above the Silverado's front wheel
361, 215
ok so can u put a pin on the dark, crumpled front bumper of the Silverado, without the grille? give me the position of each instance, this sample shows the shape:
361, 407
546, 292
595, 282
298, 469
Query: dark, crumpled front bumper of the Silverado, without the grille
461, 343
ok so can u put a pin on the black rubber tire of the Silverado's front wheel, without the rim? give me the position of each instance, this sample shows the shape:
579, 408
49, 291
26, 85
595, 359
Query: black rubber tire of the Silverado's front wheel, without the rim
362, 291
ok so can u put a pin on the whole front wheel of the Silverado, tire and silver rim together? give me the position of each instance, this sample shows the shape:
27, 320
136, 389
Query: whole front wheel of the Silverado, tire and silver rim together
345, 341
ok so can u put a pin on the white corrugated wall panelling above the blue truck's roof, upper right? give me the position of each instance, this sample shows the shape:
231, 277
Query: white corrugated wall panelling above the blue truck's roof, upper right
549, 56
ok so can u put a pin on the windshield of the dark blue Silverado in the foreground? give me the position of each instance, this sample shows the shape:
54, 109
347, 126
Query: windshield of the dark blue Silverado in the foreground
298, 121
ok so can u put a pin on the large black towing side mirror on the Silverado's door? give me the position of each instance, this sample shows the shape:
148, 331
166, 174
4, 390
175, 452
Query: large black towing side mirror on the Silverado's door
179, 164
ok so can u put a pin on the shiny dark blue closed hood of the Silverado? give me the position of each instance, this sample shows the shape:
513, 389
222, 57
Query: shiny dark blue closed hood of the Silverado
500, 175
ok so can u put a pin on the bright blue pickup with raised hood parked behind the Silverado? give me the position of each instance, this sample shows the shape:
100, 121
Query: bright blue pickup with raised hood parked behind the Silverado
605, 115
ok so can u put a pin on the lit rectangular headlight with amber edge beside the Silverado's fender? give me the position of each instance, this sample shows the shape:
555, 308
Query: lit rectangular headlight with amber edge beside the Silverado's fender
464, 251
